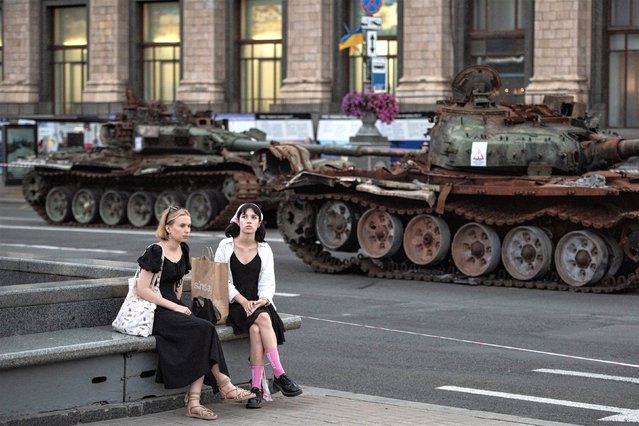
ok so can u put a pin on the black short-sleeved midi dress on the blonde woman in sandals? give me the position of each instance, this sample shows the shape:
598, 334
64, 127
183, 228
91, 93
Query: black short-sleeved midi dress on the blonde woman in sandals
187, 346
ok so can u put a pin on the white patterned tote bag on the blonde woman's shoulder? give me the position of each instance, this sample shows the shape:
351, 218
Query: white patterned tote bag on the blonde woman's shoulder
136, 315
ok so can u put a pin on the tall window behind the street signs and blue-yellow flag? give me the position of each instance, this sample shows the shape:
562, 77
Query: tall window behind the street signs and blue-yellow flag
386, 44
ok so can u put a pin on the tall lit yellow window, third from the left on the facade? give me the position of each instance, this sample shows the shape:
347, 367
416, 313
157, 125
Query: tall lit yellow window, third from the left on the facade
260, 54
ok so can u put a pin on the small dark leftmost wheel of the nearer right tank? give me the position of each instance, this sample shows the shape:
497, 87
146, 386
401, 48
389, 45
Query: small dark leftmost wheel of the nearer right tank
295, 220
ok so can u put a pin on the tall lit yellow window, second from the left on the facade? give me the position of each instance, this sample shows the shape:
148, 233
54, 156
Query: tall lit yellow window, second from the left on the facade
160, 50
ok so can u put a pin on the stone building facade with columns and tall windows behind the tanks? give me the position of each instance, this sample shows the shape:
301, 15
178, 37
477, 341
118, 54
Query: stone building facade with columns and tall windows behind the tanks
79, 57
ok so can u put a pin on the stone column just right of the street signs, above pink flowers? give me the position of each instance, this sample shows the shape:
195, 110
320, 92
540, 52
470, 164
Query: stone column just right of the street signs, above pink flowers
427, 58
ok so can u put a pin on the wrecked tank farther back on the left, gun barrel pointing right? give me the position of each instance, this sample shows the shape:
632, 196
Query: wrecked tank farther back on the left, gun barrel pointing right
152, 159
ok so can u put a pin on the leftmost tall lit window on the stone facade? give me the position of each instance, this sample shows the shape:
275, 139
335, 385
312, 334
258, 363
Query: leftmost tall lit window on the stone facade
69, 57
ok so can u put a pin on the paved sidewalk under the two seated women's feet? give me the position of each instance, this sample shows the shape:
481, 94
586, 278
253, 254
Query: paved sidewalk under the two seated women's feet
323, 406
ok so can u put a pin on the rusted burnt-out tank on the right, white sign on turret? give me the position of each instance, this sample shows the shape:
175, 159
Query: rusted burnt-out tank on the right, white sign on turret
508, 195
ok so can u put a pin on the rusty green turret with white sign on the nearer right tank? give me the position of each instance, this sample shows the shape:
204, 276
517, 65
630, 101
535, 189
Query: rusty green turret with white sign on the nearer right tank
472, 132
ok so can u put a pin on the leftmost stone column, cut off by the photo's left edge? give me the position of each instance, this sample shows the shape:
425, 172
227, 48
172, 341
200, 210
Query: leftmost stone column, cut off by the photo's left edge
21, 51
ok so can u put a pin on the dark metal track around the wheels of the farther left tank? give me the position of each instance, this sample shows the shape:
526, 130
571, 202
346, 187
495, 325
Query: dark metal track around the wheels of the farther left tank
246, 184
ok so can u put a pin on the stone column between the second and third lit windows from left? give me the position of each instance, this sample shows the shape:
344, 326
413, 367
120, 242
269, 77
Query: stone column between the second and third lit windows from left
203, 45
